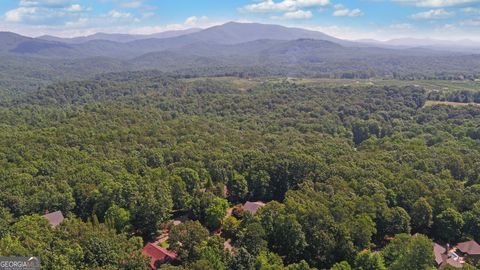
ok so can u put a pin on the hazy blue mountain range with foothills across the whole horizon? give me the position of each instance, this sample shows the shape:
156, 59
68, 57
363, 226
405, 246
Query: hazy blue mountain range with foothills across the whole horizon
231, 48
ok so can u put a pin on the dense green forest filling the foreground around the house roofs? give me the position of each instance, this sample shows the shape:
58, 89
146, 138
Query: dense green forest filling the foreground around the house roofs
353, 177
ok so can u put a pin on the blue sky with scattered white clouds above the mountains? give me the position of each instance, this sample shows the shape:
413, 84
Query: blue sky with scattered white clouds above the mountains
348, 19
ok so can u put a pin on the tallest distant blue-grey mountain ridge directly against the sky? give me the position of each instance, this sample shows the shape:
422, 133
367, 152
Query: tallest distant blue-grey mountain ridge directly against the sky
131, 46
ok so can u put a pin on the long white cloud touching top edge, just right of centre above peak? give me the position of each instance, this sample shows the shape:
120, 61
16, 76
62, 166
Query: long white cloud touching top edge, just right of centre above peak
284, 5
